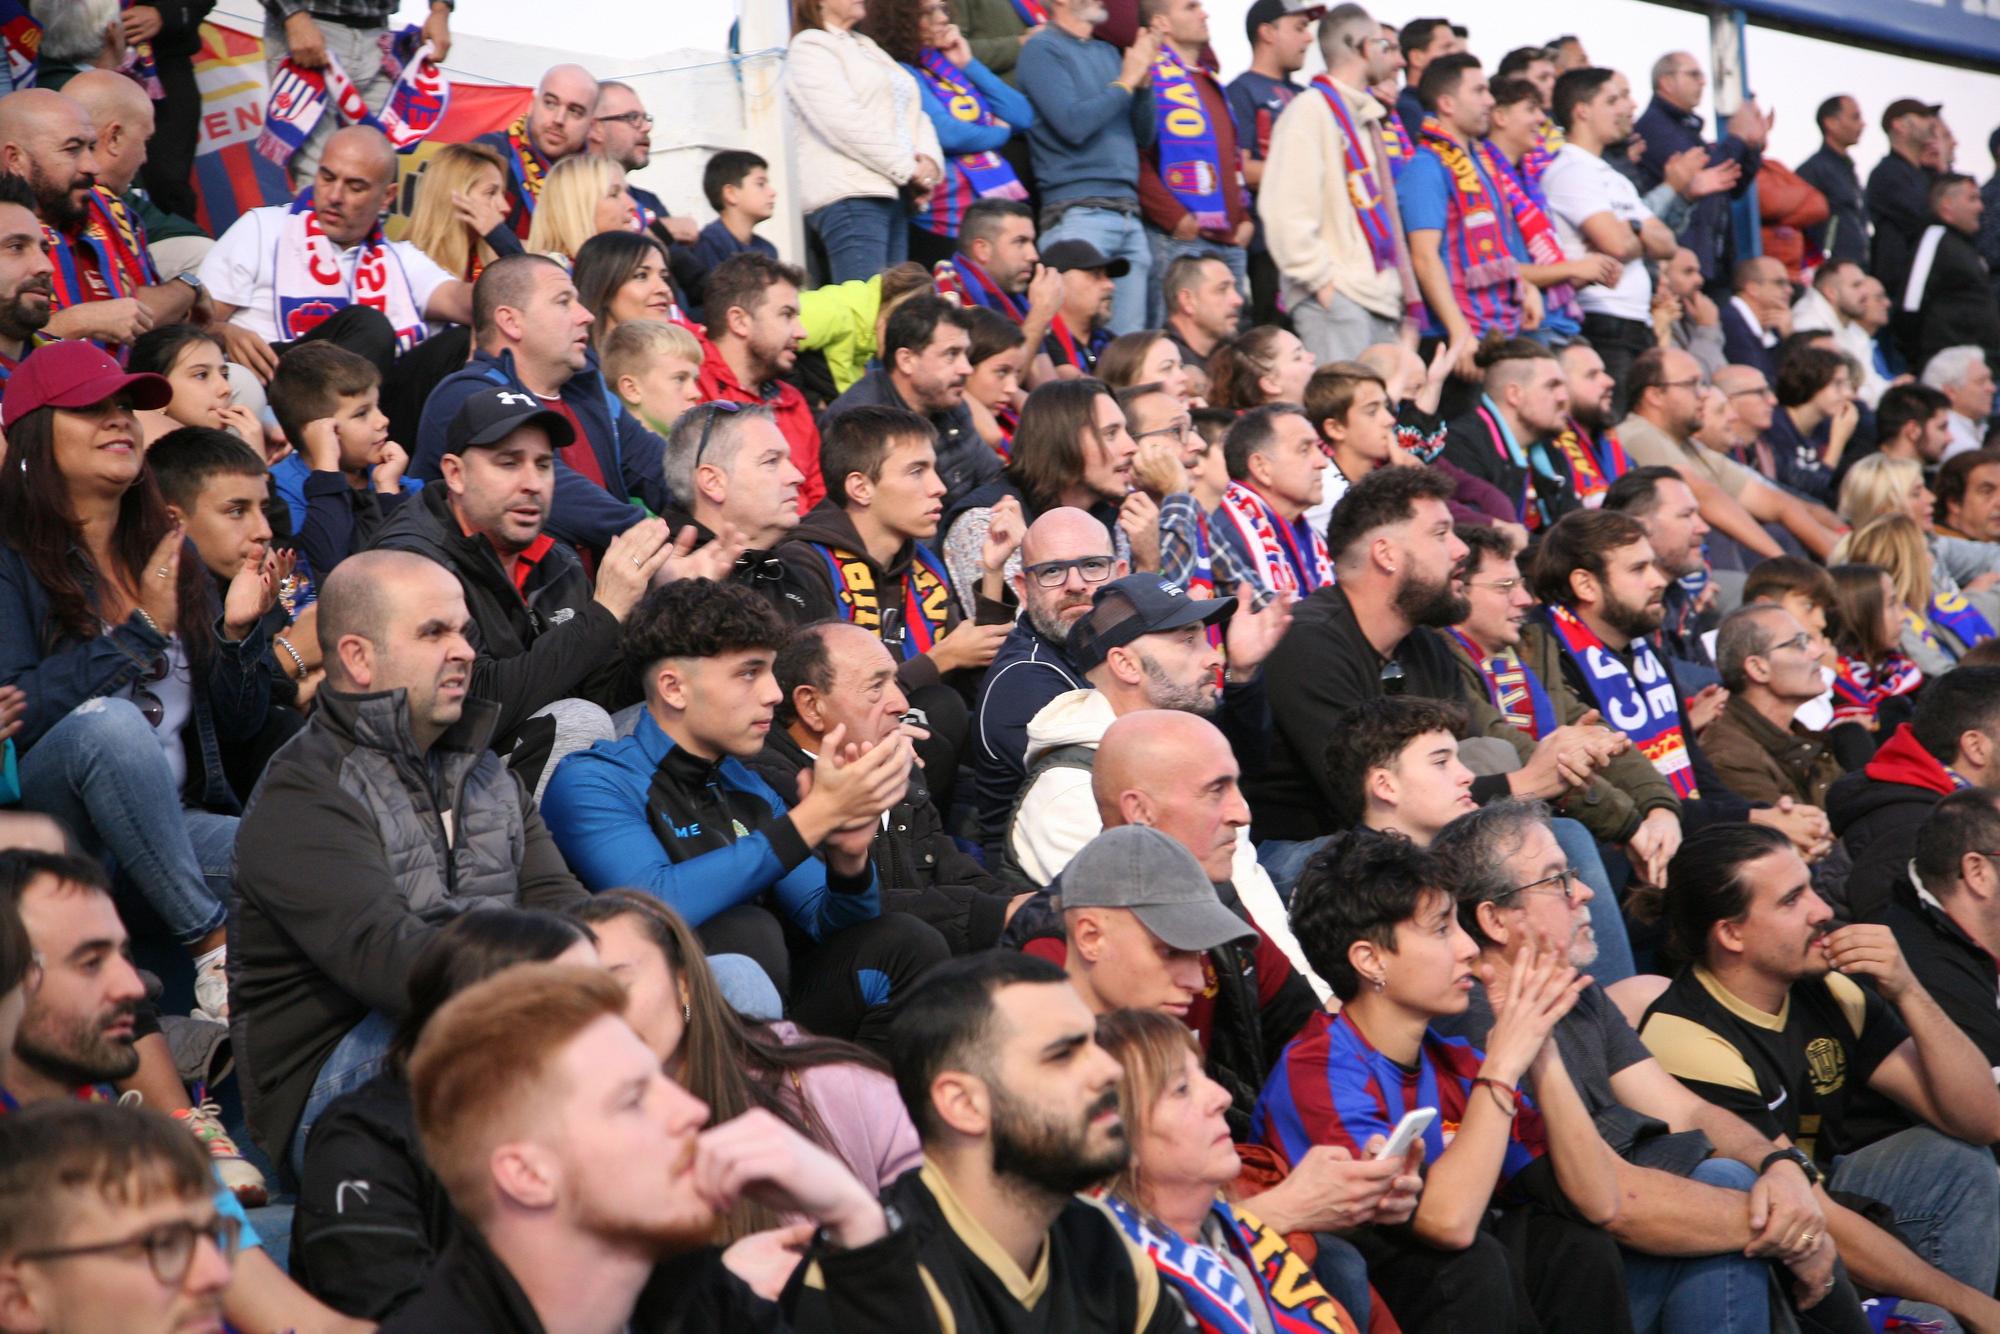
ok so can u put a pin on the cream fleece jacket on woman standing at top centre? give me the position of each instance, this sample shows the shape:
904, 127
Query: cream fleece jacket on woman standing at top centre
857, 119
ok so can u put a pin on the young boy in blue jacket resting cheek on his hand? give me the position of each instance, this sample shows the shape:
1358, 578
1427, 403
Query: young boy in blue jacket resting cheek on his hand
345, 475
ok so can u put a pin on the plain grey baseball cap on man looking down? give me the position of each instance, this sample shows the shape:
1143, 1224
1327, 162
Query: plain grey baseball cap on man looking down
1141, 869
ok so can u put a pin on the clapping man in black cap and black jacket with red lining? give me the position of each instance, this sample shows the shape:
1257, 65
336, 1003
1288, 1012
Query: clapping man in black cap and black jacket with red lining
543, 633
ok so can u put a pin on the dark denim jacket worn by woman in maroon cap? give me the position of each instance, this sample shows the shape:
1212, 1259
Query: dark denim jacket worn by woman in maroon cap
59, 675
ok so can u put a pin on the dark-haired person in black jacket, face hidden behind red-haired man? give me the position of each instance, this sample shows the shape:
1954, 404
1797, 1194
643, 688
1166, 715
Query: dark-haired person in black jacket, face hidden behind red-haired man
365, 1253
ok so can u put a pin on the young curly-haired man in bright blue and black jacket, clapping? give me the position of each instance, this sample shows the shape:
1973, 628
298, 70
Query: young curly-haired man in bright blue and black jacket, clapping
675, 813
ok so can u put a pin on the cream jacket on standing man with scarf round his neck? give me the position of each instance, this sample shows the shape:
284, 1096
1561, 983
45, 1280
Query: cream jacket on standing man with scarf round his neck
1311, 223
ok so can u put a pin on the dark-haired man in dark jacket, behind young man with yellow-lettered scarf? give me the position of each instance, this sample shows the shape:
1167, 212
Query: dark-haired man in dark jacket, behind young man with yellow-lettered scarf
925, 371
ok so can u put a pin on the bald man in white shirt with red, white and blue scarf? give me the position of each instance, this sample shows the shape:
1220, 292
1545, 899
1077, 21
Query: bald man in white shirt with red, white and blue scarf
283, 275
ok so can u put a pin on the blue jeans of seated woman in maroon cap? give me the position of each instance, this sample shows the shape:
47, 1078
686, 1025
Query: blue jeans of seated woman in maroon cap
101, 775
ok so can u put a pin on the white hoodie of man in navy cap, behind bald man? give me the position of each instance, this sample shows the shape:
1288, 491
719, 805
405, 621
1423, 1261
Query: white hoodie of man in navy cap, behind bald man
1059, 817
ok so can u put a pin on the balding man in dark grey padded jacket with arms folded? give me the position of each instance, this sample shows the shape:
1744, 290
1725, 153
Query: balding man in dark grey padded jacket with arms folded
381, 821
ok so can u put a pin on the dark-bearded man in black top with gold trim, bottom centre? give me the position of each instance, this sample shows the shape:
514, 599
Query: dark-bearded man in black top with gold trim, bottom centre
1017, 1107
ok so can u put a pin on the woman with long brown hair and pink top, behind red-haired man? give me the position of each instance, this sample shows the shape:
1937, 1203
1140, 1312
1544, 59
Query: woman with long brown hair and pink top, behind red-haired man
833, 1093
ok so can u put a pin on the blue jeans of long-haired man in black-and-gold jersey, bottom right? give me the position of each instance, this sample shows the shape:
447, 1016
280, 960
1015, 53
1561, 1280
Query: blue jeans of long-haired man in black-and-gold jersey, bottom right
1945, 1197
